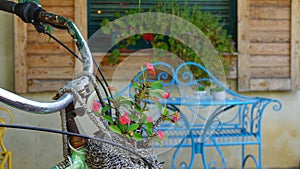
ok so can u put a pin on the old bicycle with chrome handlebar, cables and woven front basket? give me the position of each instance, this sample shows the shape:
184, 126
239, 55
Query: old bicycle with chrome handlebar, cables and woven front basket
79, 150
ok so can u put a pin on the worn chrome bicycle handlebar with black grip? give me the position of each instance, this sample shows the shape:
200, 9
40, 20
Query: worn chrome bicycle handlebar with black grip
33, 13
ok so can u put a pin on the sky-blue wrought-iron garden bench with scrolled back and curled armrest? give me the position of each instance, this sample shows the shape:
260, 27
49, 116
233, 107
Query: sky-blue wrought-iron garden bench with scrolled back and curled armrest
235, 121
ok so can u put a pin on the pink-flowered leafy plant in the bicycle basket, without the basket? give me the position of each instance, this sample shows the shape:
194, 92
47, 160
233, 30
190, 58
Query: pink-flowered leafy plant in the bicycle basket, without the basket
132, 118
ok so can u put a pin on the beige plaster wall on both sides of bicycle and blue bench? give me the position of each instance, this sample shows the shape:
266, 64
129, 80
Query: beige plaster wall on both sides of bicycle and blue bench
281, 130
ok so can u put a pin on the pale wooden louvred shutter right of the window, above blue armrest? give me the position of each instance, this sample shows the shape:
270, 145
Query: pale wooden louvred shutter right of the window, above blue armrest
267, 40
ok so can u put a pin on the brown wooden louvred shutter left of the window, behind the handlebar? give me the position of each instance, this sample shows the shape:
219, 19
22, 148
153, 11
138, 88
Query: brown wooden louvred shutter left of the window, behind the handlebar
41, 64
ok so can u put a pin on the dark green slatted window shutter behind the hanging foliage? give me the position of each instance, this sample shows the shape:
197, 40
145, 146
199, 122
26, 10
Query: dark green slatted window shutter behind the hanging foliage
226, 9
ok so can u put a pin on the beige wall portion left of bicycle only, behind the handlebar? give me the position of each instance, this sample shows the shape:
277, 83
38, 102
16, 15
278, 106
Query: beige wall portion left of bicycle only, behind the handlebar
30, 149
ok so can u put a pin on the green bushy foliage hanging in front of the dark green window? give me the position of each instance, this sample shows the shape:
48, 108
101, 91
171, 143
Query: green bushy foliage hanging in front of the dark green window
210, 25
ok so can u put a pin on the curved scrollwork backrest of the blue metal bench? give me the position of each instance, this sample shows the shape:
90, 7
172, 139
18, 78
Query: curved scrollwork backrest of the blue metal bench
181, 80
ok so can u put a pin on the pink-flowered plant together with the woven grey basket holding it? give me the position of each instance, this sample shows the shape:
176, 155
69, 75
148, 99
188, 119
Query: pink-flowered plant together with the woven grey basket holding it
128, 121
